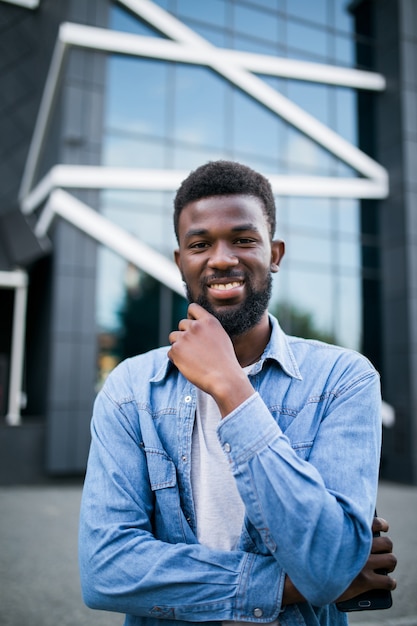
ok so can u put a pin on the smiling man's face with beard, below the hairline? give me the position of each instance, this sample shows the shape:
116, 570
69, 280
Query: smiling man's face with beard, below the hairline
226, 258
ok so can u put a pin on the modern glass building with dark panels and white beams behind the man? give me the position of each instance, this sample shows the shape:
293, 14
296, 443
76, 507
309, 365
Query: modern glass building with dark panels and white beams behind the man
109, 105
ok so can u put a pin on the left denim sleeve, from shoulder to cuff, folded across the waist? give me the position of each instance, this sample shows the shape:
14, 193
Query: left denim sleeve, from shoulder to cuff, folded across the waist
125, 568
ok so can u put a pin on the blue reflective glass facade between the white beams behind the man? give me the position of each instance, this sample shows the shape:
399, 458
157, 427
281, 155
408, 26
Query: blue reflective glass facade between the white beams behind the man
169, 115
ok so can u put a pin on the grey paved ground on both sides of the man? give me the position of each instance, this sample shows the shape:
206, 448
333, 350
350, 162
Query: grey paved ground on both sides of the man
39, 584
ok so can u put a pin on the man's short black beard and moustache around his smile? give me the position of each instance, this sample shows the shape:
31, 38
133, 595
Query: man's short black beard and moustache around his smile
238, 319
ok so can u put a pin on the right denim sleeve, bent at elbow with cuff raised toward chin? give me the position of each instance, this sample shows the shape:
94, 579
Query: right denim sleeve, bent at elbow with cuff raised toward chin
314, 515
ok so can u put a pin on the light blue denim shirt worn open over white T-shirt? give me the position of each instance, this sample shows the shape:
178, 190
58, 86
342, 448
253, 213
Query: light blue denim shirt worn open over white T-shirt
304, 450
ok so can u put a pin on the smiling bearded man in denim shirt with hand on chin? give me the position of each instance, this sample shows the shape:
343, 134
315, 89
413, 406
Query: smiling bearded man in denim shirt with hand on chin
232, 476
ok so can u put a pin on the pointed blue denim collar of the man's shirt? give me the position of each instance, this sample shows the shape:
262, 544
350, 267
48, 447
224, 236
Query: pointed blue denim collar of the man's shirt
278, 349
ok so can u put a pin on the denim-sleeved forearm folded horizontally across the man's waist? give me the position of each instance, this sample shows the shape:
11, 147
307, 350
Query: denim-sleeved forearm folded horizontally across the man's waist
133, 573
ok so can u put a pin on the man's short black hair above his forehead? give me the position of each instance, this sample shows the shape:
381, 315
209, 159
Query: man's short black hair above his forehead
225, 178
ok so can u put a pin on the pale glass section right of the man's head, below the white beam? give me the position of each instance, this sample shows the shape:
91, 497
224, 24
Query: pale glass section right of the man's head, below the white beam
319, 284
